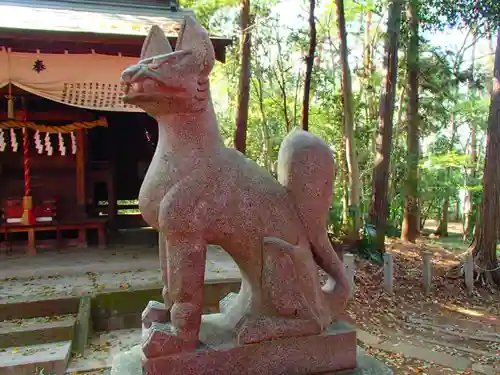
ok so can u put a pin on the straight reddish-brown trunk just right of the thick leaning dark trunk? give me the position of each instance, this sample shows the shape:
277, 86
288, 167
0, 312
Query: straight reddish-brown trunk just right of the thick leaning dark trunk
410, 227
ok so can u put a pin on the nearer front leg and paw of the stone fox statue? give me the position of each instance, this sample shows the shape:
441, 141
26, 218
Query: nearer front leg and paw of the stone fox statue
186, 257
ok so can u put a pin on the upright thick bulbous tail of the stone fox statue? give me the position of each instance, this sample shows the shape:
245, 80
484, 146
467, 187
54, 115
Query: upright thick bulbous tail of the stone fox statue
306, 169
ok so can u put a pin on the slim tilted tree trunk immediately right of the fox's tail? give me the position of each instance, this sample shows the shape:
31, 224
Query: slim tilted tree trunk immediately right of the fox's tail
350, 144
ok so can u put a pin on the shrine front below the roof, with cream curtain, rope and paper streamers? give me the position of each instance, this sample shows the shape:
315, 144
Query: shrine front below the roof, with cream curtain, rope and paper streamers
59, 155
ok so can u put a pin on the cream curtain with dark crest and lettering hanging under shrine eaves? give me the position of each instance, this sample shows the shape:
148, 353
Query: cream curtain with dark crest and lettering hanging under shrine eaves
89, 81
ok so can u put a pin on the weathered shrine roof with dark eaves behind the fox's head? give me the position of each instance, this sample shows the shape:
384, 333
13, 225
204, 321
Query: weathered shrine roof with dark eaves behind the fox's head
105, 26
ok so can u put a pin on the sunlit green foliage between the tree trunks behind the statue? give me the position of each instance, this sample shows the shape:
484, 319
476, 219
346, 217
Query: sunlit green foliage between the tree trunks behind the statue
446, 88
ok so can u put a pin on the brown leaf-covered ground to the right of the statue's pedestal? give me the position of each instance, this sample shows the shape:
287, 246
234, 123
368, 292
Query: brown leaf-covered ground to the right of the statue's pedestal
447, 319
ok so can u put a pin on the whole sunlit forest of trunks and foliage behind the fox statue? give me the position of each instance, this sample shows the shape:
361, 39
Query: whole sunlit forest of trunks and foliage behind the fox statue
406, 92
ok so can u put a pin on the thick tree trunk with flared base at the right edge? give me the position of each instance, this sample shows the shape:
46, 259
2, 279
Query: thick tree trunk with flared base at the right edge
485, 239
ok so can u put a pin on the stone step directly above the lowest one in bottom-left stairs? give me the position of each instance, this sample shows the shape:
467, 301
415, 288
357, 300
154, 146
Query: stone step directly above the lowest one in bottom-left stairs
41, 330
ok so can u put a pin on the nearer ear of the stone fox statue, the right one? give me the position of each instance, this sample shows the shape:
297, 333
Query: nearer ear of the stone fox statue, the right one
194, 37
